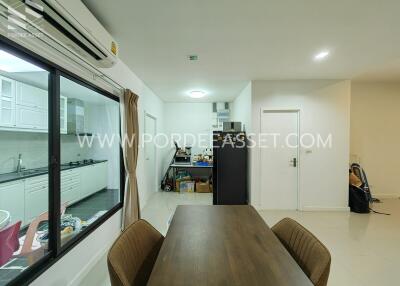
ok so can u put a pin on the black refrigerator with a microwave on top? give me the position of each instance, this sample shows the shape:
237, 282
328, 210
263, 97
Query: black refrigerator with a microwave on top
230, 168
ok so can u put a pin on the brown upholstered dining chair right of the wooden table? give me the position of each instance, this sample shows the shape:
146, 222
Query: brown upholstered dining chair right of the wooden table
310, 254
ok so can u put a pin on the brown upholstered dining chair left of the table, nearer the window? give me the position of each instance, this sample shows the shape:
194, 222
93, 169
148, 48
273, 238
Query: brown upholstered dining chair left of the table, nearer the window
133, 254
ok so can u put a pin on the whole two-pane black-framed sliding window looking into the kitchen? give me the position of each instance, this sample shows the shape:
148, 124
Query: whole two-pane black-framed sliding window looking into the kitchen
60, 162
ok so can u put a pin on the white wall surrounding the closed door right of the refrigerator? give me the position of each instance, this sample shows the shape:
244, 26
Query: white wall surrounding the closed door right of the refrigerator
324, 108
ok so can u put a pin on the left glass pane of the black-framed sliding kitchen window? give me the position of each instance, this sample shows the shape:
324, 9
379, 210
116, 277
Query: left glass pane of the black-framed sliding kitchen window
24, 174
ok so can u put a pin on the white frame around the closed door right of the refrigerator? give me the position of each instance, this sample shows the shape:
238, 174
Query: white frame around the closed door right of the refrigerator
297, 111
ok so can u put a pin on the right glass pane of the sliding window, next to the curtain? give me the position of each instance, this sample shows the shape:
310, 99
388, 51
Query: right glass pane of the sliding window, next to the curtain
90, 156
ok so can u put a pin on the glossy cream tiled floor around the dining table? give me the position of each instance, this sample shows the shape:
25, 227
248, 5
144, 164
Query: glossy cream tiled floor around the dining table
365, 248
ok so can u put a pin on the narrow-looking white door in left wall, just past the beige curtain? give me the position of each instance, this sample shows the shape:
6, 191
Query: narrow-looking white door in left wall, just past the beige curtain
150, 152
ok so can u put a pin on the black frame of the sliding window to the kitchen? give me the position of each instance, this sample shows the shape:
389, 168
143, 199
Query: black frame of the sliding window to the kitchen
56, 251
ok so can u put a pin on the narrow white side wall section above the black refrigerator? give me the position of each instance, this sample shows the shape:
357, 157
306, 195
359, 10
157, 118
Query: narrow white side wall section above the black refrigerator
241, 108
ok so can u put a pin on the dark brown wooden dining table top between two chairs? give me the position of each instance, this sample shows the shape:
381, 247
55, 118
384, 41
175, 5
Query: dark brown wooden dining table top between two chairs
223, 245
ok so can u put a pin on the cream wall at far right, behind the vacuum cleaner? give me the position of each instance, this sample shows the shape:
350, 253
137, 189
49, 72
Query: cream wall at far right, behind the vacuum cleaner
375, 119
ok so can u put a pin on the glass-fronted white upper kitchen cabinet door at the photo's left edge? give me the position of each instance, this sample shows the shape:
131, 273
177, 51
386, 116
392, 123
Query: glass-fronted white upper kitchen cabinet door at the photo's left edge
7, 102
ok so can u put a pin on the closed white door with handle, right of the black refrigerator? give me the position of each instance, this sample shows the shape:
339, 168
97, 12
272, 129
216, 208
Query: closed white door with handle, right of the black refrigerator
279, 160
